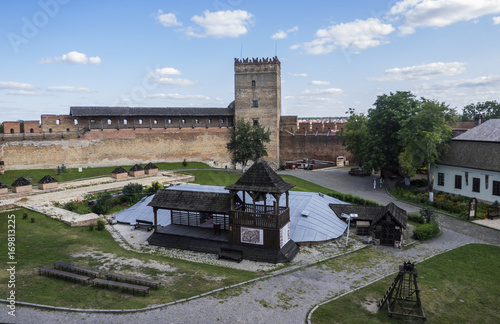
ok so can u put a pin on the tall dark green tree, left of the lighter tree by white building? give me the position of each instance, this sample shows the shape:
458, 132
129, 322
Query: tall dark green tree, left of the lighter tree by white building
384, 124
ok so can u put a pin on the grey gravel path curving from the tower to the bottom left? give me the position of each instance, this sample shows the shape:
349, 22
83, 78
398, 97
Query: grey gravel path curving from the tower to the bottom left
286, 298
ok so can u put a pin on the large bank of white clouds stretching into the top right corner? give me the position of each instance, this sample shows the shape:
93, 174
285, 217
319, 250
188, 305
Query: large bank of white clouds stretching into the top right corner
404, 16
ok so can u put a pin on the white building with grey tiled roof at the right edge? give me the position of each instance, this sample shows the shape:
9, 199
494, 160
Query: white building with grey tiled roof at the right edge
471, 166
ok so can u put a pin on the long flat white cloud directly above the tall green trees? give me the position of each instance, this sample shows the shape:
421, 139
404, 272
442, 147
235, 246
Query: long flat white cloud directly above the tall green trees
422, 72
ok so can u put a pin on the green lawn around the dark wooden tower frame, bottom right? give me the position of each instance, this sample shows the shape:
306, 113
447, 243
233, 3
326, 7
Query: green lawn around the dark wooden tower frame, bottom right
459, 286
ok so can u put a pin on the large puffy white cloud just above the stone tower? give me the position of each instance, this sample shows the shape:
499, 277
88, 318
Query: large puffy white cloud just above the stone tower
221, 24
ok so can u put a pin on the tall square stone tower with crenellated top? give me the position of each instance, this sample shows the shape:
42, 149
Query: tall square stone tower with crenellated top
257, 90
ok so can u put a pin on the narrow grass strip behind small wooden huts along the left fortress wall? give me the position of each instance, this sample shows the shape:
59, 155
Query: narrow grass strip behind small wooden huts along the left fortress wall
72, 173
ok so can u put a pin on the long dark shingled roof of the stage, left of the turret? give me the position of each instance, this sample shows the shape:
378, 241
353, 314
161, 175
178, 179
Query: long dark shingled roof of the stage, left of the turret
212, 202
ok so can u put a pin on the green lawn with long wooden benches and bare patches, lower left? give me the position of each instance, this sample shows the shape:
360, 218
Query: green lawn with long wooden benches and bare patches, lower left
45, 241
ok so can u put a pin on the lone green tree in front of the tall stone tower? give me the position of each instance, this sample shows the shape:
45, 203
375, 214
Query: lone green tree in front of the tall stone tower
247, 142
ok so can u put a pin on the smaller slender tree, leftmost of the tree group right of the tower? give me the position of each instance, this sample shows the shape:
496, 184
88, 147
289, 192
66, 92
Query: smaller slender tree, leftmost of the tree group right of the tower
356, 135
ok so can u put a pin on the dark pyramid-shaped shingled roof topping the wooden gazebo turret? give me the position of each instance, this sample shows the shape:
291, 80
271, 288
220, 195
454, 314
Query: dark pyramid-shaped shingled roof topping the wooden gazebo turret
261, 178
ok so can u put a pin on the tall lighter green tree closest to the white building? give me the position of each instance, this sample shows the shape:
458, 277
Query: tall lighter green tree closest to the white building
425, 136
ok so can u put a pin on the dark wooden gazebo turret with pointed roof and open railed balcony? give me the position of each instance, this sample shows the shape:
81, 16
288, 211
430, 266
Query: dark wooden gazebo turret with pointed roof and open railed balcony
258, 222
